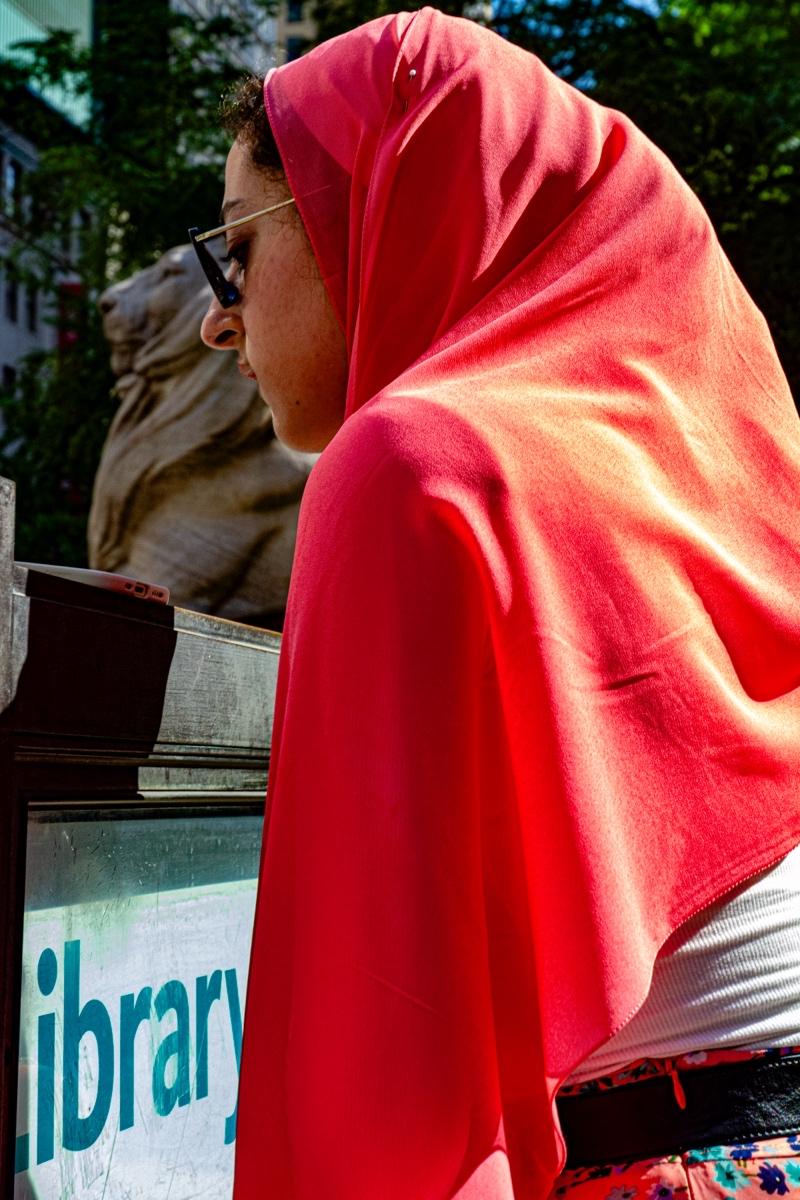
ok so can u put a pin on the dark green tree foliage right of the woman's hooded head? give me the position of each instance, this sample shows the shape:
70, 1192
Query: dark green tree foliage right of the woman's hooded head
743, 152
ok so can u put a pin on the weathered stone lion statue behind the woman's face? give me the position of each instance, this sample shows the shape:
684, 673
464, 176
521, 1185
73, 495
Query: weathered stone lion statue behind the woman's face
194, 490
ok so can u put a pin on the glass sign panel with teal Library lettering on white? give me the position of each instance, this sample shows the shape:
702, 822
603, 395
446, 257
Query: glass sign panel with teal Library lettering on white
135, 964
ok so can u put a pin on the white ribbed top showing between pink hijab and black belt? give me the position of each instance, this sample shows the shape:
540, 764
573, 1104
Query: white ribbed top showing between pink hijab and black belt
729, 977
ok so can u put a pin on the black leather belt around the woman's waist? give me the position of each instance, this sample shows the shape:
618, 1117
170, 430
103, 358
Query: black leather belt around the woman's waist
729, 1105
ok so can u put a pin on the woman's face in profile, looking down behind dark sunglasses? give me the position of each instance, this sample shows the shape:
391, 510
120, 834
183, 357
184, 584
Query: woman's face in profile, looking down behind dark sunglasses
285, 332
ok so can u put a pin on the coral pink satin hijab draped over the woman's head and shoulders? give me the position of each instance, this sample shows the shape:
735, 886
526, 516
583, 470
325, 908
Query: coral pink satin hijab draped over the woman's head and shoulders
539, 697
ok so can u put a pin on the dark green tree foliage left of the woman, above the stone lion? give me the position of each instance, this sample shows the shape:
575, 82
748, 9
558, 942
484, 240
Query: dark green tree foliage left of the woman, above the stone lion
104, 202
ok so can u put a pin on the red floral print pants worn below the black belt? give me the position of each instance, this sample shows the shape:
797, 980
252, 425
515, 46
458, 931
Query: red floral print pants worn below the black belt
750, 1171
